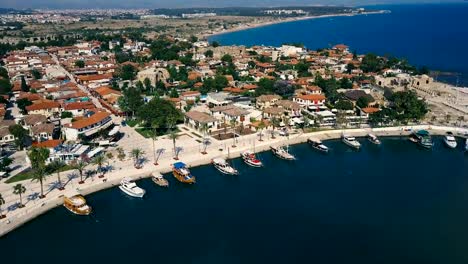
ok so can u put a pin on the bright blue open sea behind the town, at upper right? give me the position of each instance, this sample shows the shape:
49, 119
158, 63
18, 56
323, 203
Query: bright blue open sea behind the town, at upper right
433, 35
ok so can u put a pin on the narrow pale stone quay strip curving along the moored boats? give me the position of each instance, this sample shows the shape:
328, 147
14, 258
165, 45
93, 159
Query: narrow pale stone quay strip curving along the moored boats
113, 178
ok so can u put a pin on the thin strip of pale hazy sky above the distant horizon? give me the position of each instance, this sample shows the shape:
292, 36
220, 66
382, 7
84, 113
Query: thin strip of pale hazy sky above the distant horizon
22, 4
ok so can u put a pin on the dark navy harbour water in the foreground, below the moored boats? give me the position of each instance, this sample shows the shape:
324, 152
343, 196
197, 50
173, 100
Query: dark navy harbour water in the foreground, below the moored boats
394, 203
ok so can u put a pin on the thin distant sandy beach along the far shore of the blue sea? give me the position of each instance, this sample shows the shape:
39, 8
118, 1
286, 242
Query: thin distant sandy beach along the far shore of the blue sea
287, 20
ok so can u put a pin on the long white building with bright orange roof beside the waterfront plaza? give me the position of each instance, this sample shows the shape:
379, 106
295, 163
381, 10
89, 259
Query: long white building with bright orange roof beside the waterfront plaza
91, 124
